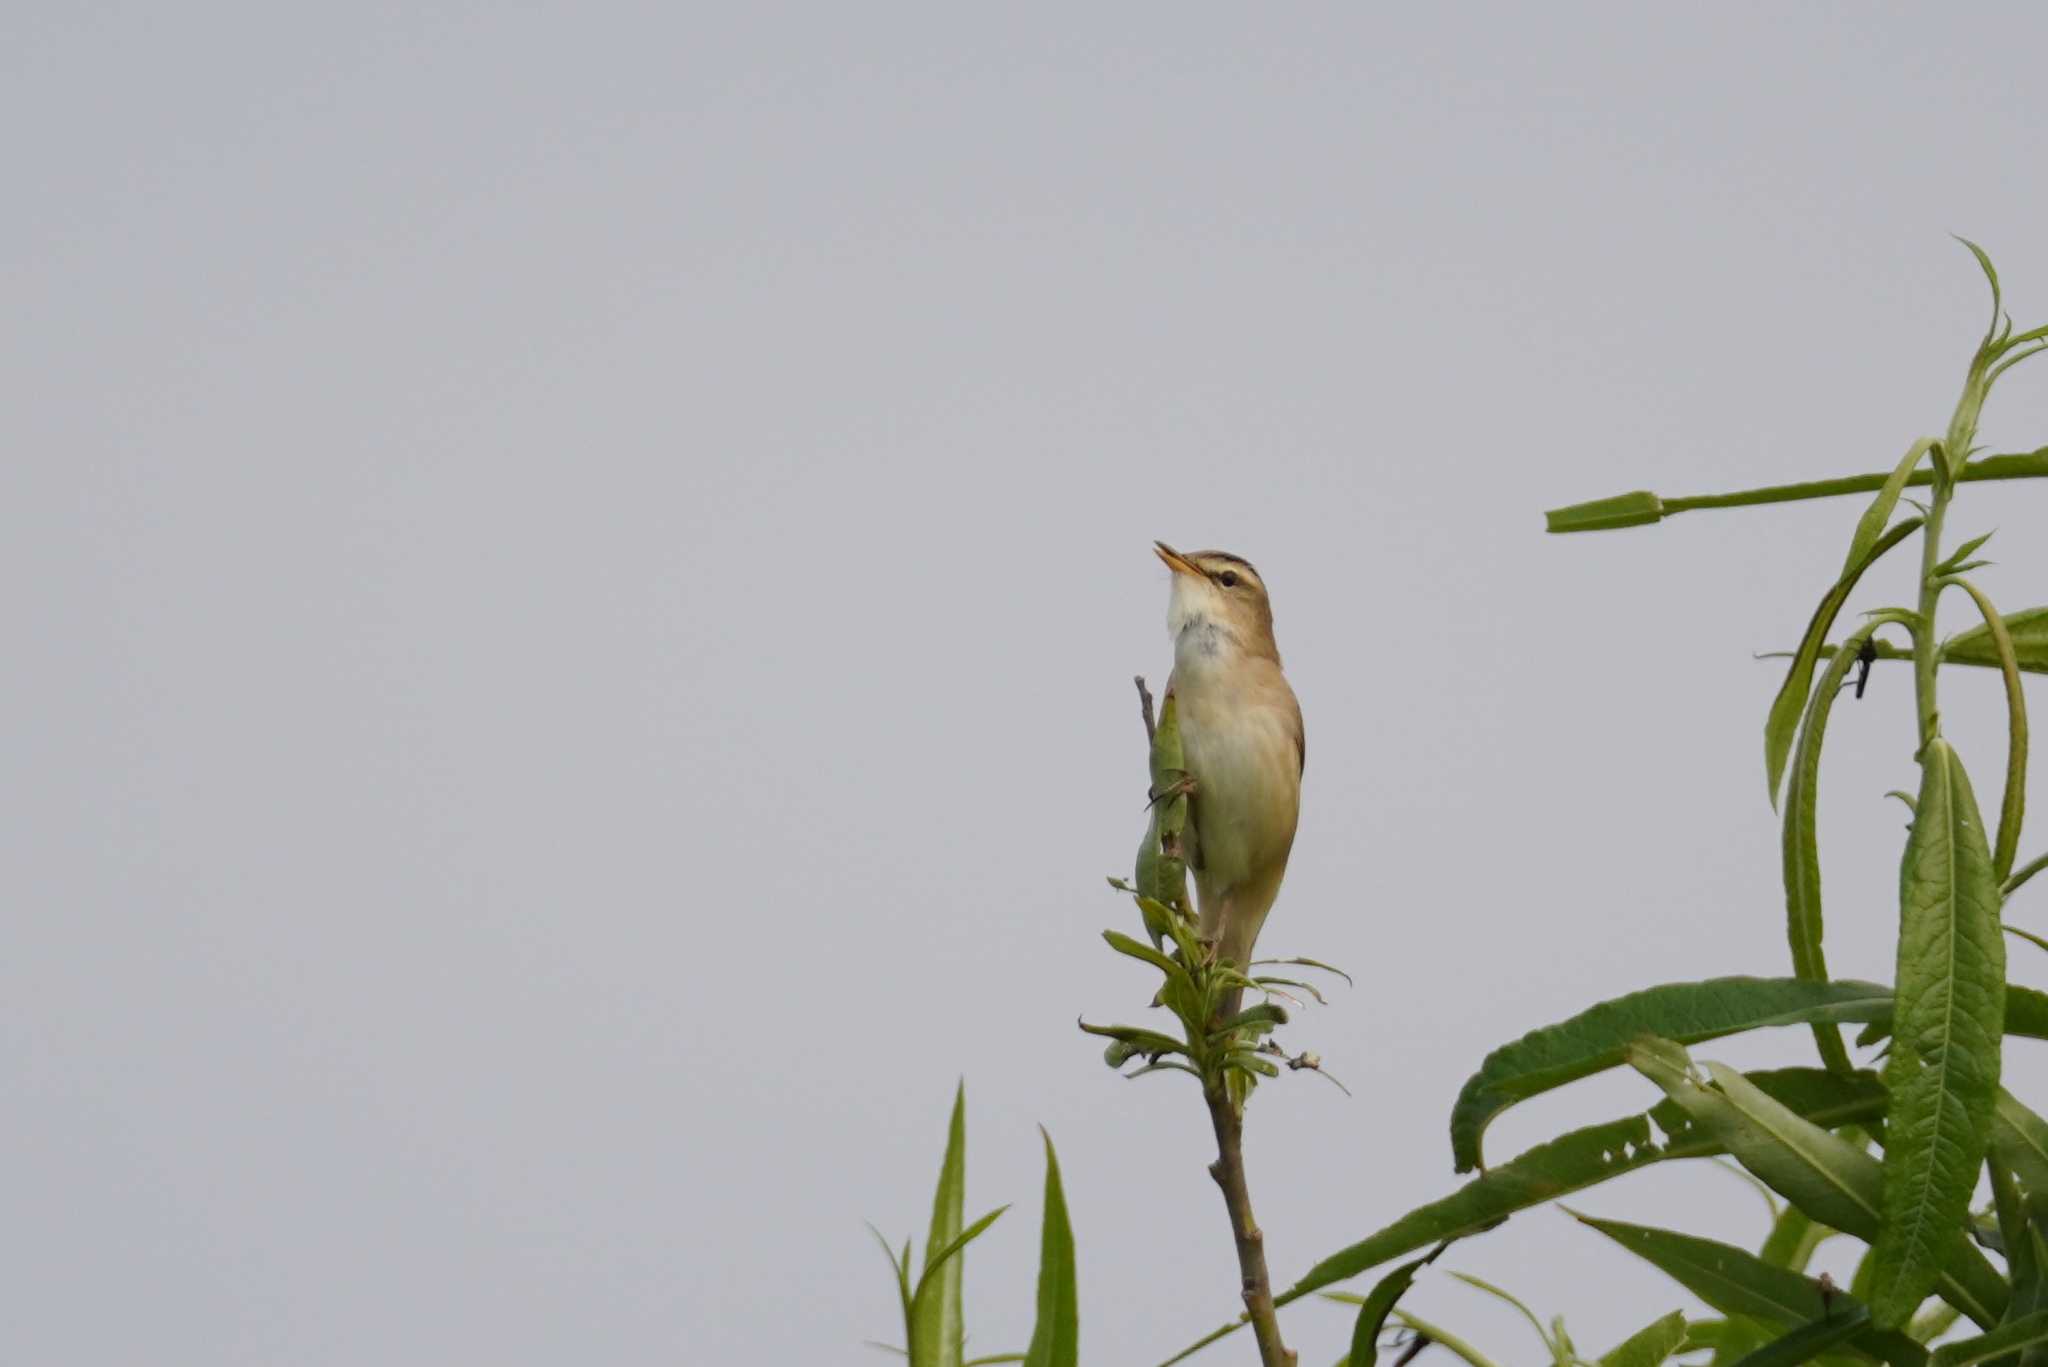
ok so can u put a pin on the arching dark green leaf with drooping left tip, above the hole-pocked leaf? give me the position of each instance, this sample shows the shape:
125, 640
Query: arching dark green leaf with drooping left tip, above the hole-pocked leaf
1601, 1036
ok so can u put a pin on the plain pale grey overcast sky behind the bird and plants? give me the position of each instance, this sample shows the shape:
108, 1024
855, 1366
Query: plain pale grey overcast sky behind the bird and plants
574, 573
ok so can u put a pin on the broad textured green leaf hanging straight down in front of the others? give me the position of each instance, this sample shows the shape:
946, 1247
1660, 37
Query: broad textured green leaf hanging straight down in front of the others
1945, 1065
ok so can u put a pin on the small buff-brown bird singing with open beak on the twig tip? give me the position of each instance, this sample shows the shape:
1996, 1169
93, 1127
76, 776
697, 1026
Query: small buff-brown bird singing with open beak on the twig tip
1244, 743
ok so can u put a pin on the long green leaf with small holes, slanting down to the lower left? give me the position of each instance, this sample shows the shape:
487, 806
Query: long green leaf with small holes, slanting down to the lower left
1586, 1159
